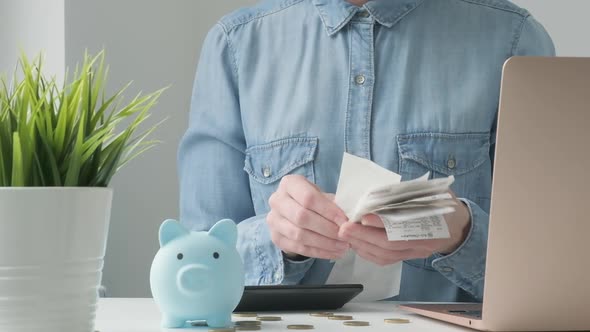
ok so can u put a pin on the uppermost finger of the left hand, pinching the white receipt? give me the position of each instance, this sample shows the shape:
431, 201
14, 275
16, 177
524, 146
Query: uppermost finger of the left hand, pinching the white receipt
311, 198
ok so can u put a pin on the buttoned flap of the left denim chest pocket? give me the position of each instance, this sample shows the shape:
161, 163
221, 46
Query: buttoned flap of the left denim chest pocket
269, 162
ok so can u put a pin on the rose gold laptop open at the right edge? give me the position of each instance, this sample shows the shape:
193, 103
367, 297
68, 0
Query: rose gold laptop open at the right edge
538, 257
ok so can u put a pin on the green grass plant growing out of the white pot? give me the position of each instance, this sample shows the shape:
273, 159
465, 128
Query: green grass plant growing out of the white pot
69, 134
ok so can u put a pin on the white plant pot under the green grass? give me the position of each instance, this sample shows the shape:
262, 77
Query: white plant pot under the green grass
52, 246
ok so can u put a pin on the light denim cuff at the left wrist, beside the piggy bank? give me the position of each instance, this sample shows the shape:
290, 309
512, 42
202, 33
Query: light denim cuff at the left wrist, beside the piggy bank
264, 263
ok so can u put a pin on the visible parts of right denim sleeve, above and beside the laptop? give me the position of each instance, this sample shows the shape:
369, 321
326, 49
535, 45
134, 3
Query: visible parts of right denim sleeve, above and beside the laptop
466, 266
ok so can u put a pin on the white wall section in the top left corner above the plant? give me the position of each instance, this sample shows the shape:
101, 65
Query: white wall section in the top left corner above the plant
32, 26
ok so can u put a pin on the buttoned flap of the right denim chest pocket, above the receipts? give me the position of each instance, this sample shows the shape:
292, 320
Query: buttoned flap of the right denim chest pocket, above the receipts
450, 154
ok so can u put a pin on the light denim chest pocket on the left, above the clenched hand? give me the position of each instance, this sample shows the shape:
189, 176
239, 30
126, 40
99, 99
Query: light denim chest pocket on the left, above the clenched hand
267, 164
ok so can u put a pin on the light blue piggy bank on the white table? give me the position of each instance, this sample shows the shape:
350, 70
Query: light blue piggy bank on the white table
197, 275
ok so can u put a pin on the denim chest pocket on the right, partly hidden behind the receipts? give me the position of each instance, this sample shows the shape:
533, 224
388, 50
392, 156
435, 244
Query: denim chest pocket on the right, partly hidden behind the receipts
465, 156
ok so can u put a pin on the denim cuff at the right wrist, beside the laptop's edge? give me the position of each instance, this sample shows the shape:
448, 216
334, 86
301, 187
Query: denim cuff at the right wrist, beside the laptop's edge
465, 267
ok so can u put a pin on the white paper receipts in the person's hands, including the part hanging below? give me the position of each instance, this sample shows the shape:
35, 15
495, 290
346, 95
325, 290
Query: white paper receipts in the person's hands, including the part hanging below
410, 210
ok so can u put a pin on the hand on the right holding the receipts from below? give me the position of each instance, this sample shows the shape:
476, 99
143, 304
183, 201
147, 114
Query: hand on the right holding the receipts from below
369, 239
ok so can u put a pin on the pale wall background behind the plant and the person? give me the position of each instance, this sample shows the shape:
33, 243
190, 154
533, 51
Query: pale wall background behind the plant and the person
156, 43
